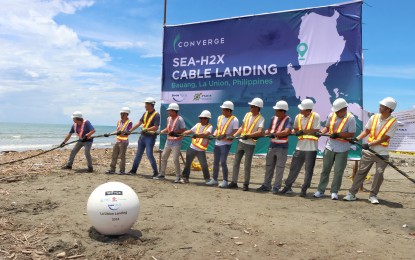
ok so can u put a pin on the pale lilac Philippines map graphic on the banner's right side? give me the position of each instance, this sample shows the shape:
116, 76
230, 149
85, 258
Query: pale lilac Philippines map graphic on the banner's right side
315, 49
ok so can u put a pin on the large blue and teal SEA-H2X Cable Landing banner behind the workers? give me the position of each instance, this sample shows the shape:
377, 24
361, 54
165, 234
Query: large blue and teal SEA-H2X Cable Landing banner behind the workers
310, 53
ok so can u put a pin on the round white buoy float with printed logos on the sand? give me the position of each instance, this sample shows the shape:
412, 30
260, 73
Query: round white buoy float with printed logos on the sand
112, 208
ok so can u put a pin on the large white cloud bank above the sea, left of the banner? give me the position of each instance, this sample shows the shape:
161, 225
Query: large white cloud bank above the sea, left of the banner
47, 68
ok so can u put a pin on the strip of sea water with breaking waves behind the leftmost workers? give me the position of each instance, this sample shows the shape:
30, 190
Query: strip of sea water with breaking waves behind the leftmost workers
25, 136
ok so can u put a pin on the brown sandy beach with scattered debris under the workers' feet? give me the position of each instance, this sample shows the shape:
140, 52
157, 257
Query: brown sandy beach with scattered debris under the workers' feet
43, 215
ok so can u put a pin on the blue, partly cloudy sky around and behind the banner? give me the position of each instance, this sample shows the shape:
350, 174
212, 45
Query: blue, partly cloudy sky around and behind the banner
58, 56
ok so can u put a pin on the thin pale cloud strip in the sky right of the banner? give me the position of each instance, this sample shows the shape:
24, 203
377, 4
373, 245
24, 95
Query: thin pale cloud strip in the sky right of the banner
397, 72
